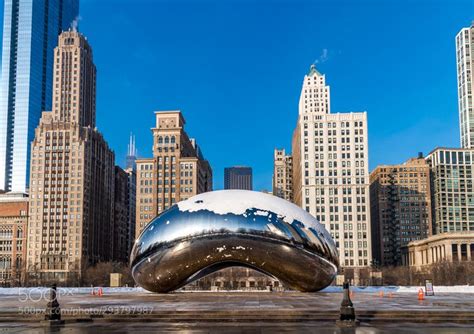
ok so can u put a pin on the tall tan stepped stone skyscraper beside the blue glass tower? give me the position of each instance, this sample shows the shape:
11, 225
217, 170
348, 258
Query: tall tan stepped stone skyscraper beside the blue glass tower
72, 173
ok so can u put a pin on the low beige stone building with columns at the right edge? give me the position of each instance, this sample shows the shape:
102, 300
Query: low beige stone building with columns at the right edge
445, 247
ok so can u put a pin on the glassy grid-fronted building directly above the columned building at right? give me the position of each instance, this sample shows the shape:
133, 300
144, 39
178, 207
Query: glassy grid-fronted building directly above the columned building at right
451, 173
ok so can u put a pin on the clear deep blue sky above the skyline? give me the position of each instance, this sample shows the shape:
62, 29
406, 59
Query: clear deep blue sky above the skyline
235, 69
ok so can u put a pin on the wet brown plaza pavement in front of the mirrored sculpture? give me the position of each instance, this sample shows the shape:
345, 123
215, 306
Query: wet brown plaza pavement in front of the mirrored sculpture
129, 306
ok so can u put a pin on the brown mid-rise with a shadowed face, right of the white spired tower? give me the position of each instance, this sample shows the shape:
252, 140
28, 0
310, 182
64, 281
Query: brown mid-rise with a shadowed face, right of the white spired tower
400, 201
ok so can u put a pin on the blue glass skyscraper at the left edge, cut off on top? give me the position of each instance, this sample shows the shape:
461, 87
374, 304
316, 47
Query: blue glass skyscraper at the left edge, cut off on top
30, 33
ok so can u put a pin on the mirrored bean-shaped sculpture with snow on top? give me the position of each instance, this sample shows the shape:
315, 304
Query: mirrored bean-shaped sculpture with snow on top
219, 229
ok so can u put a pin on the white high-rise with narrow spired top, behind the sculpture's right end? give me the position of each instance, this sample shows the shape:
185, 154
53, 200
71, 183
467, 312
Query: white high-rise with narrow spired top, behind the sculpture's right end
330, 170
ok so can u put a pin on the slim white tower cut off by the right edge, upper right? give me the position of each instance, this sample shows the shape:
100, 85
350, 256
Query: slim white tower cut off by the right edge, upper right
465, 69
